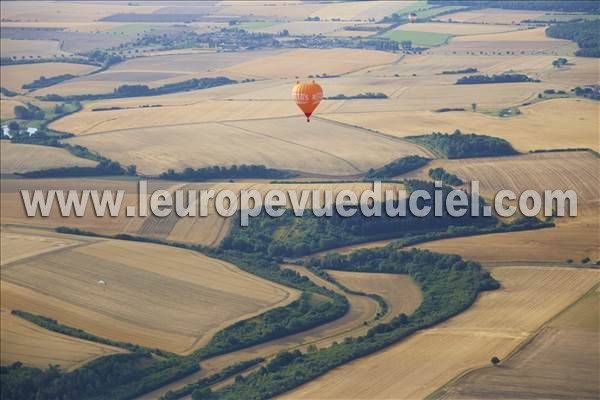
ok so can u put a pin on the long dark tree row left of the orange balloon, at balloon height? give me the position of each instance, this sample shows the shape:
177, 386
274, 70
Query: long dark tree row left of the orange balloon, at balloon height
143, 90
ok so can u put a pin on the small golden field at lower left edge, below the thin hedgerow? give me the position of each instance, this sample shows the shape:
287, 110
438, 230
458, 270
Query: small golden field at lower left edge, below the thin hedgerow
25, 342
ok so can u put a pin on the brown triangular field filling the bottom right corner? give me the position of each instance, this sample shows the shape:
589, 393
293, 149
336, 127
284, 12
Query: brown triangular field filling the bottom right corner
560, 362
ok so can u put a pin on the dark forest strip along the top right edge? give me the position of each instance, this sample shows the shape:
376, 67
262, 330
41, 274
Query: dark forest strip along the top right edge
549, 5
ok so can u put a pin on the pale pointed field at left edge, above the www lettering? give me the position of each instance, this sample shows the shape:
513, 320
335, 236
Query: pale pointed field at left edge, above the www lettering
30, 157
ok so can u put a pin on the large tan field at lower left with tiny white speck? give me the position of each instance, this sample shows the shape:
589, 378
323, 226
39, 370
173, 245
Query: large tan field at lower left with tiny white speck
146, 282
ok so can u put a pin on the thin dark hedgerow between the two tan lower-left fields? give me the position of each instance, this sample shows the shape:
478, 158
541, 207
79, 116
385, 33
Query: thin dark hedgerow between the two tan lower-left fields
55, 326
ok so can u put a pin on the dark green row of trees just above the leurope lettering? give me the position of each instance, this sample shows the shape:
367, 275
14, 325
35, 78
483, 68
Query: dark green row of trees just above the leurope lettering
233, 172
